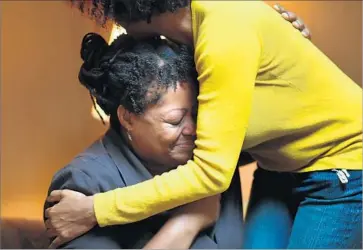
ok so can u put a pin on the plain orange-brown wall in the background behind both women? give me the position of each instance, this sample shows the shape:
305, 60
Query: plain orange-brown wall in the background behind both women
45, 113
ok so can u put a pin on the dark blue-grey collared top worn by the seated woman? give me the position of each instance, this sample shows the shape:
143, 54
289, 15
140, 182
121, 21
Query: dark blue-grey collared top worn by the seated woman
109, 164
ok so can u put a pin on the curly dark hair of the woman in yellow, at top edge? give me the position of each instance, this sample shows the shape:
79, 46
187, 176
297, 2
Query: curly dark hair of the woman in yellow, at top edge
127, 10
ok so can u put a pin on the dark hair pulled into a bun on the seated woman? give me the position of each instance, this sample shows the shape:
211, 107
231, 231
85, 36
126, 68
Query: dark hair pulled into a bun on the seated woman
132, 73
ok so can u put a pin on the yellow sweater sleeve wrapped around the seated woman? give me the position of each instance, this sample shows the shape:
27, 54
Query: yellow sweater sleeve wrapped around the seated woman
227, 61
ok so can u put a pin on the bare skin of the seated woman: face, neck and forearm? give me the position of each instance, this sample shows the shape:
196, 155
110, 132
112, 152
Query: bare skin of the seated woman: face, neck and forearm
170, 126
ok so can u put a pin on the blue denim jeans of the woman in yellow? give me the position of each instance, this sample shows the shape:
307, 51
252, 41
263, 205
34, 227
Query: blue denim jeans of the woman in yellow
305, 210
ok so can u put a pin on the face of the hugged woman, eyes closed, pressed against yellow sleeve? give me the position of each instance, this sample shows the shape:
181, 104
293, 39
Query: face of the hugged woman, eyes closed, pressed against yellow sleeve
163, 136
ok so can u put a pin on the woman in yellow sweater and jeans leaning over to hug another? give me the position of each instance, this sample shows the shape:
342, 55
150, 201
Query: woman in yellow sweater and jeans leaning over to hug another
266, 90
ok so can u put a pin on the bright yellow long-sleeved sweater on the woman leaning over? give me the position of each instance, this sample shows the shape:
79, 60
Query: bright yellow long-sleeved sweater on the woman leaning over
263, 88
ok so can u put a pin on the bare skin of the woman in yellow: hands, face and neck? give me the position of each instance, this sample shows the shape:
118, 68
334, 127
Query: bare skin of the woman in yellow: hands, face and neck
175, 26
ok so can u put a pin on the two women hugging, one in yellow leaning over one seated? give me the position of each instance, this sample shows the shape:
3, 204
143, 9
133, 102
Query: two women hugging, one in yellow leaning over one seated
233, 80
